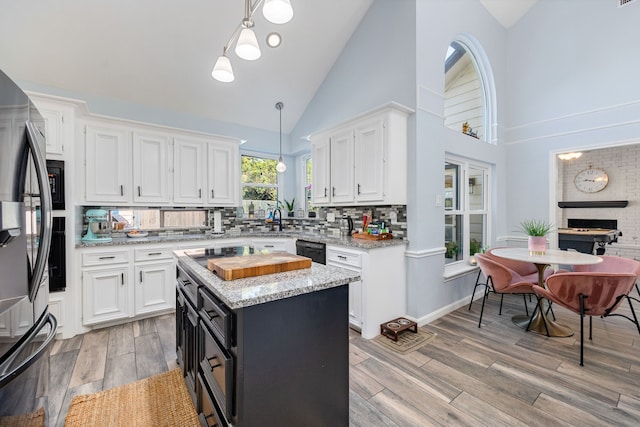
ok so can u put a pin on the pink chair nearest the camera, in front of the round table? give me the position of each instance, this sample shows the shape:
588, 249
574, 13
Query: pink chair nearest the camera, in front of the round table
588, 294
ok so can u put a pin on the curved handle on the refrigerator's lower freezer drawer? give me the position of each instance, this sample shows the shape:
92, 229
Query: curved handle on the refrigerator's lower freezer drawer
6, 377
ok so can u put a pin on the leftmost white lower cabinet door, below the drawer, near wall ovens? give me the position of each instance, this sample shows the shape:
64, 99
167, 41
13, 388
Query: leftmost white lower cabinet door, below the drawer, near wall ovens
105, 295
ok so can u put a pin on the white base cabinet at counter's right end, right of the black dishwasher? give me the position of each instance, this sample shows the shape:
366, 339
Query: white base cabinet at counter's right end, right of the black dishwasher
380, 295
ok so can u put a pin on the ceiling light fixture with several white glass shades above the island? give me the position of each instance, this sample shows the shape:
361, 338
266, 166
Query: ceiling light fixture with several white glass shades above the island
247, 47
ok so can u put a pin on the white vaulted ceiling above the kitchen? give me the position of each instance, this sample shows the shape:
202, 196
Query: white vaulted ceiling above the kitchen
159, 54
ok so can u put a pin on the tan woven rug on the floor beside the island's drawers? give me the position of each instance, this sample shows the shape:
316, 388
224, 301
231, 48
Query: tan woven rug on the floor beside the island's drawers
160, 400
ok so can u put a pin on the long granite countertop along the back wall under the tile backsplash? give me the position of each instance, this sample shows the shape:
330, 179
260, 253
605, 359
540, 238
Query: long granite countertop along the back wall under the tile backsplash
318, 238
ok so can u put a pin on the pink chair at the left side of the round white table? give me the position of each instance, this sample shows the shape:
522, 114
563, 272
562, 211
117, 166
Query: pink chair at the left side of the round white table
502, 280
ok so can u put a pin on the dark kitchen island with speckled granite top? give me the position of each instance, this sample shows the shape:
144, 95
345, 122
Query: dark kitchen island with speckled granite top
266, 350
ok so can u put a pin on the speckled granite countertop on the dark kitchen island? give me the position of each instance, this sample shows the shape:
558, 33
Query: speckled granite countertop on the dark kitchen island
271, 287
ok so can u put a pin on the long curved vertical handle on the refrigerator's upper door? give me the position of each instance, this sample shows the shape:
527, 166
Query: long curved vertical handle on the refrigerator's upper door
45, 209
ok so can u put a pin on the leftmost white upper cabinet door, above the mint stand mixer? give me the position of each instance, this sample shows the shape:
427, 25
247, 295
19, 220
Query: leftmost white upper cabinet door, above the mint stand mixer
107, 165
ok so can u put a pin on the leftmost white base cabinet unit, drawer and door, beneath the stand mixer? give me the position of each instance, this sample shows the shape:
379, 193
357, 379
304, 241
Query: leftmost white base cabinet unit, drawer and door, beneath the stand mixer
106, 290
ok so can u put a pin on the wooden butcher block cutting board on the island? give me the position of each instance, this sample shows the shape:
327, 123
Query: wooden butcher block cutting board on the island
238, 267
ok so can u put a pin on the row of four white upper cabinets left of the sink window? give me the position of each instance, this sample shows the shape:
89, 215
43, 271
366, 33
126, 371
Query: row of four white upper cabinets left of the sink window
127, 165
